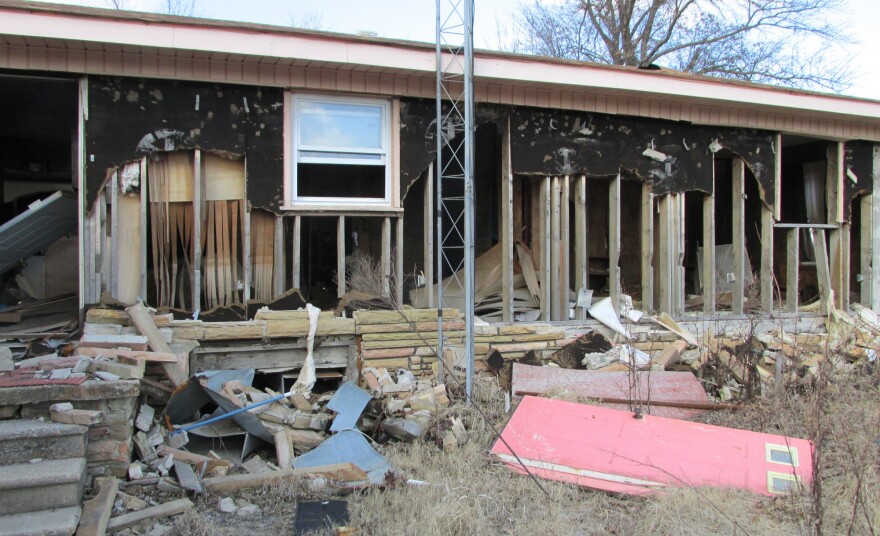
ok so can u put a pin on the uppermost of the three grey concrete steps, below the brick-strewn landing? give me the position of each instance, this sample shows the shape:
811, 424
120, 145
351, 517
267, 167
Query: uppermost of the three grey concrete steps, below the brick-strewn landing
25, 440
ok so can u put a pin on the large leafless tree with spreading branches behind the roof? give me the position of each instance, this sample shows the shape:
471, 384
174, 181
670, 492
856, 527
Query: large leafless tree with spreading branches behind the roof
784, 42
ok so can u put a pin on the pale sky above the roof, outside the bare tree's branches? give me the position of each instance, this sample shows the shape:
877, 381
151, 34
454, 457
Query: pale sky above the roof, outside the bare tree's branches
415, 20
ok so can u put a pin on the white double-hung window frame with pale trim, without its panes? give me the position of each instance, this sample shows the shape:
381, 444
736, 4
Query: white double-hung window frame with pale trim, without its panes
387, 160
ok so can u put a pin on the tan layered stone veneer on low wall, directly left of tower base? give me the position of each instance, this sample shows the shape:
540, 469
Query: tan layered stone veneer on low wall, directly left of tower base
405, 339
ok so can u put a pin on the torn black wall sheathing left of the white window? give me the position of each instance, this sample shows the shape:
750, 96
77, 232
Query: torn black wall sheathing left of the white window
134, 117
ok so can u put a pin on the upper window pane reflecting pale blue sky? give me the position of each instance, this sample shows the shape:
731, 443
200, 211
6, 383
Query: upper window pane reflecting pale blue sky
336, 124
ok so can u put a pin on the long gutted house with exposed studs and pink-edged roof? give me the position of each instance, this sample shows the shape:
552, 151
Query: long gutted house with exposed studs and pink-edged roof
226, 174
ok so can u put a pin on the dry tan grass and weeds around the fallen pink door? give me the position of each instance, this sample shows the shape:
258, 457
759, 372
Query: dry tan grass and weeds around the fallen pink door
469, 494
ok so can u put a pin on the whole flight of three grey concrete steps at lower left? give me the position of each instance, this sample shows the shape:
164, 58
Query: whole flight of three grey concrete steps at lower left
42, 472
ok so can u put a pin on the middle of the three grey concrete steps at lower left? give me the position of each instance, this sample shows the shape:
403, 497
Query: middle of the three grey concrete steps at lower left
30, 487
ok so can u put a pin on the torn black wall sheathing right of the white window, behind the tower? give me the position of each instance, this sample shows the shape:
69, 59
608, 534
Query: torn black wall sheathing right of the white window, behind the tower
559, 142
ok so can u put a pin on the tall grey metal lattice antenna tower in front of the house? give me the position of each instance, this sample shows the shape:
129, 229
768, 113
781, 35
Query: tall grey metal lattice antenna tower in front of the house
455, 165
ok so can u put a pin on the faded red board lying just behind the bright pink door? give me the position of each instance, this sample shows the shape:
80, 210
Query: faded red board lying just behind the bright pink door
656, 389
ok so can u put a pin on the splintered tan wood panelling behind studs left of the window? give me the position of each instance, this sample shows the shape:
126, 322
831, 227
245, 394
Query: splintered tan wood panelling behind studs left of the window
172, 184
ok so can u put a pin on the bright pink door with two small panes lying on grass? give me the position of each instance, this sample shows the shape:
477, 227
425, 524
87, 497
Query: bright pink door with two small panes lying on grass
609, 450
